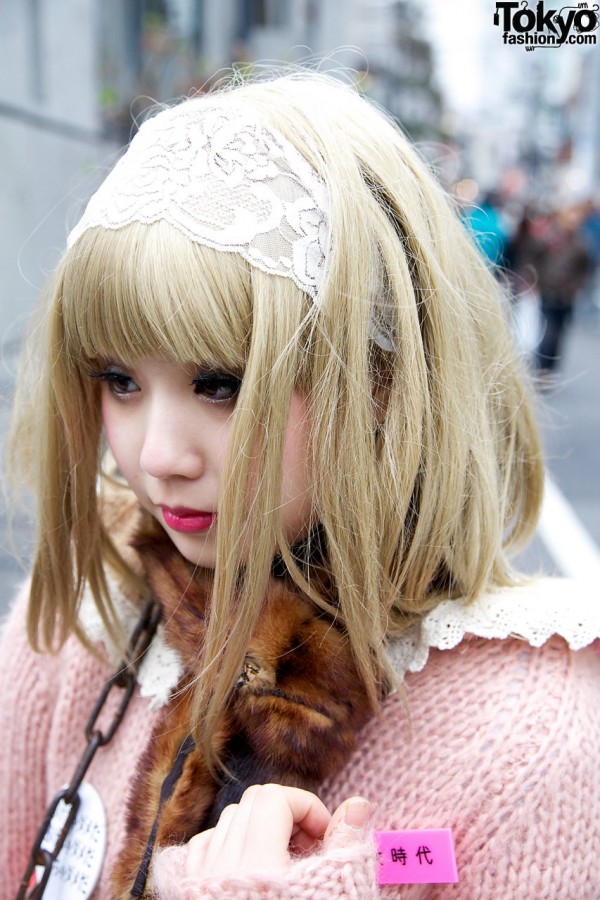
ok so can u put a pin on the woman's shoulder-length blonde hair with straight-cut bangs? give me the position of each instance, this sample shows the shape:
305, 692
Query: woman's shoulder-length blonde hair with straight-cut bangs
426, 456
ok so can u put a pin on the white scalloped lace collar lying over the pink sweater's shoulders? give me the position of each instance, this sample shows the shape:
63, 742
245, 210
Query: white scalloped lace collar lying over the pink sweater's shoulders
534, 612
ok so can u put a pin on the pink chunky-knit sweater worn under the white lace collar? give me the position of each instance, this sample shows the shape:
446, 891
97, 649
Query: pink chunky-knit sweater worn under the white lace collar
502, 746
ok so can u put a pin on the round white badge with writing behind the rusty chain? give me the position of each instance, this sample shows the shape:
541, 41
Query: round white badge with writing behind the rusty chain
78, 865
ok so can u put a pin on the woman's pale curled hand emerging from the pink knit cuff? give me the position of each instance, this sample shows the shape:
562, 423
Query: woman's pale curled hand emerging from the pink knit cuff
258, 833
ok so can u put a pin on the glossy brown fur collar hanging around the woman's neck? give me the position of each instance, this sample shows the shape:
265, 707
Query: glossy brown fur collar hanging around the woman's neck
296, 709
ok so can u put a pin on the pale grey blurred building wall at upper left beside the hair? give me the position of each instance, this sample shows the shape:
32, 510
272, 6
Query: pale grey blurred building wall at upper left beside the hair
50, 140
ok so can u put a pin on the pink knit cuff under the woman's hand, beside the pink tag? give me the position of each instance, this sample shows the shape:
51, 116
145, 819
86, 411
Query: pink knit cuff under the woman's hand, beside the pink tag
344, 869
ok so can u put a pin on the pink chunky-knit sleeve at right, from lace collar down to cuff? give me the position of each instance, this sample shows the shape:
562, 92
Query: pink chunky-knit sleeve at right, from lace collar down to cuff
501, 747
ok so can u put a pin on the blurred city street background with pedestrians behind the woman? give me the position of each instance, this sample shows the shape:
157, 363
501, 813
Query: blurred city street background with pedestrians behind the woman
511, 129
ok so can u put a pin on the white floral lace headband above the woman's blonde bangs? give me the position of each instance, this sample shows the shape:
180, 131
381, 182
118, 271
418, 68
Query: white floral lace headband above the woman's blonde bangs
224, 179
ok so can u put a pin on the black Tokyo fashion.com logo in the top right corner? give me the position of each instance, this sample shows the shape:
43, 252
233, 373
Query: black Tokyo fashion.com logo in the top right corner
541, 27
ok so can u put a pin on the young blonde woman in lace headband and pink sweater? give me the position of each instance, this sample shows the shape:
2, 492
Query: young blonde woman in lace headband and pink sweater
271, 318
